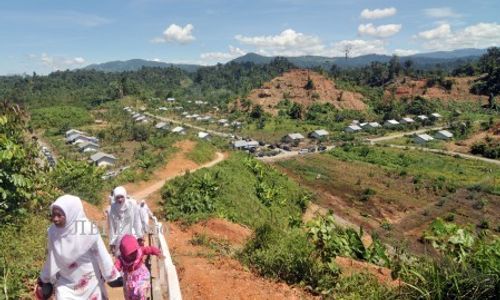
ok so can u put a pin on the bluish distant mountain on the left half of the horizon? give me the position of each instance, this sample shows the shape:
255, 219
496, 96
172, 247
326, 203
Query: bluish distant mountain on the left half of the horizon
136, 64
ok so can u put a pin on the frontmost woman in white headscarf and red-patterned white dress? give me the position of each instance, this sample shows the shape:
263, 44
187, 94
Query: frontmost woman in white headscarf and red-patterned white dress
78, 263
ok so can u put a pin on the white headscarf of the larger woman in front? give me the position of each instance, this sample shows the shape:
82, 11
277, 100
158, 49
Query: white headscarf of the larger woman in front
76, 237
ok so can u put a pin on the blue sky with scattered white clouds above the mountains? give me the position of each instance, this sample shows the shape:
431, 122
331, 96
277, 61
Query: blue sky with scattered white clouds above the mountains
47, 35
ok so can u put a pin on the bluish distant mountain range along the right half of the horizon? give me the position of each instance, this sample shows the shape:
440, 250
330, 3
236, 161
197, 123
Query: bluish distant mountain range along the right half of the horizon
423, 60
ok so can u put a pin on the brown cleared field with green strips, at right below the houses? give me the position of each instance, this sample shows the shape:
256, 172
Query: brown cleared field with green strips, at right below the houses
397, 193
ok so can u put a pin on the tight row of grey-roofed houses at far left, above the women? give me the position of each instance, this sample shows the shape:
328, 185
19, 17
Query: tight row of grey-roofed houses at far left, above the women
89, 144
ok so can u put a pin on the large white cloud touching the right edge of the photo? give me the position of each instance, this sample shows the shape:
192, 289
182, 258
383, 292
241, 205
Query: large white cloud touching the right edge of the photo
481, 35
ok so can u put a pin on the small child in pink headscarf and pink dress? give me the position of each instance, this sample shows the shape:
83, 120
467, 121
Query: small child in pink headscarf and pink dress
136, 277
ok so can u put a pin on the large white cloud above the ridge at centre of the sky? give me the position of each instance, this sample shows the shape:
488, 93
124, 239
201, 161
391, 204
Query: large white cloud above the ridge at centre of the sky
287, 43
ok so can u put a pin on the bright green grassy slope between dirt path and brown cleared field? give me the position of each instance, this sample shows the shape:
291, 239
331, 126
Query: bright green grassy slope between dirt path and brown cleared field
233, 179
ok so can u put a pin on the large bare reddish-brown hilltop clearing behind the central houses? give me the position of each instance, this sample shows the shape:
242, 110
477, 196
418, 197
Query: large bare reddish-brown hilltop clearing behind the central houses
304, 87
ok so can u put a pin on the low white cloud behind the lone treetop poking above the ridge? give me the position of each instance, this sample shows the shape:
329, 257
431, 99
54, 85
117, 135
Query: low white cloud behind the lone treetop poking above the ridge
358, 47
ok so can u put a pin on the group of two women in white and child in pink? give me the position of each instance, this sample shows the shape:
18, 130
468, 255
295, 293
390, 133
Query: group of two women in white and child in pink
78, 263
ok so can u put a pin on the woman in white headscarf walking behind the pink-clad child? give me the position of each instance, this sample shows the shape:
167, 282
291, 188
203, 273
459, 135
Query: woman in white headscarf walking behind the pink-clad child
124, 218
